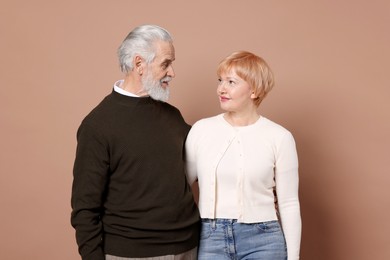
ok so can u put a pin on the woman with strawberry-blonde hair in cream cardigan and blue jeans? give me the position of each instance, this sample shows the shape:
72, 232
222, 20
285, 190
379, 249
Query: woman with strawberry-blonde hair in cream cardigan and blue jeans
241, 160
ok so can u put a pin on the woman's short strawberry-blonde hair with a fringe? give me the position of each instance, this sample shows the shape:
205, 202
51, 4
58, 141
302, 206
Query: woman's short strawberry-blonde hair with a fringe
251, 68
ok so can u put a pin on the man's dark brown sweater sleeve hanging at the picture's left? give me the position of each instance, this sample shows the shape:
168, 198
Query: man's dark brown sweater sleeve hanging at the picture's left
90, 176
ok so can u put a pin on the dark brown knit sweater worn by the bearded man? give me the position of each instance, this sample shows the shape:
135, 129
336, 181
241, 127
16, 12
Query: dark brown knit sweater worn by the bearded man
130, 196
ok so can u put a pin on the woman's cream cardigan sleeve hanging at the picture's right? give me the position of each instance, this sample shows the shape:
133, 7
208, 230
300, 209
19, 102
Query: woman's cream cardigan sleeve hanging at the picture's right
286, 178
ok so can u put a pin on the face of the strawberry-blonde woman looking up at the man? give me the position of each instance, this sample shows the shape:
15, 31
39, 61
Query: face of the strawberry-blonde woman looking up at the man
235, 94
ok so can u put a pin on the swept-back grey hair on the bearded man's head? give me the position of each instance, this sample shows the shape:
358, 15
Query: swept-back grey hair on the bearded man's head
140, 41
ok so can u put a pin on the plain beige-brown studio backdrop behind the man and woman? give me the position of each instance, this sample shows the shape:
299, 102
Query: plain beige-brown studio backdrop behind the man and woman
331, 61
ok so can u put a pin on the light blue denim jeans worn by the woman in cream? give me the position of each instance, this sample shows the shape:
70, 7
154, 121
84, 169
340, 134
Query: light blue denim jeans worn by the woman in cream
226, 239
